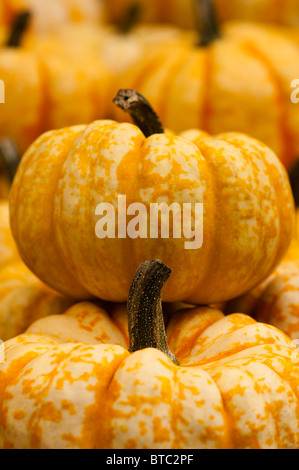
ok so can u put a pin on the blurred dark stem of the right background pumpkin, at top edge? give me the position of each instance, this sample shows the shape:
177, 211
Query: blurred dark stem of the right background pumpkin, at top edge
208, 26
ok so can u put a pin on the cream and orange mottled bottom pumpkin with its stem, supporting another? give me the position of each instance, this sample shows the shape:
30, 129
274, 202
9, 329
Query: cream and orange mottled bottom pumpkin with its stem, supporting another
75, 381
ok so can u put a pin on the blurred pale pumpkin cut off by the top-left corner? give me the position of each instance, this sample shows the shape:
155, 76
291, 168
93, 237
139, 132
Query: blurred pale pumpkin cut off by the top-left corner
53, 15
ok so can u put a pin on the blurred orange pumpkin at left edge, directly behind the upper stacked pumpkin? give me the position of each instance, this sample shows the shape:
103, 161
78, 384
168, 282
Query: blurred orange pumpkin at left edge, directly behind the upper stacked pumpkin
44, 85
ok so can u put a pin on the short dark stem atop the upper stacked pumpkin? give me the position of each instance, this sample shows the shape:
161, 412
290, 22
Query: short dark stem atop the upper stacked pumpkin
140, 111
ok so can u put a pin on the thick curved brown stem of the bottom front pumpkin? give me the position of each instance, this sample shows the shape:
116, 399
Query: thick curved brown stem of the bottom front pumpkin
145, 316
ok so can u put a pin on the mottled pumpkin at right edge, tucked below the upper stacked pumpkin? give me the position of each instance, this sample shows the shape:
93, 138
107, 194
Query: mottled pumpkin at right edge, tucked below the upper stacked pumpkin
276, 300
